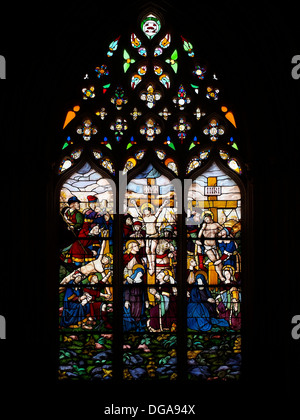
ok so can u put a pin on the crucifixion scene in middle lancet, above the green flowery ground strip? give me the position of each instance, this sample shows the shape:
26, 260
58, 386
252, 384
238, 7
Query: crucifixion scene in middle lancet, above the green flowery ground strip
149, 259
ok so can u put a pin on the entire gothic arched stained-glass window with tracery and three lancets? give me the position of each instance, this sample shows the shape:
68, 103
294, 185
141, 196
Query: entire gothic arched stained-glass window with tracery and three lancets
151, 191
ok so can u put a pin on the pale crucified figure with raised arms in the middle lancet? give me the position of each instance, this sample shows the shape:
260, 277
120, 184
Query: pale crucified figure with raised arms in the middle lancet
151, 232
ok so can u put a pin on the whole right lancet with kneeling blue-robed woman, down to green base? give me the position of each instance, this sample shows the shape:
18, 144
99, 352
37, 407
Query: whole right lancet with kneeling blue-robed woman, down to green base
214, 276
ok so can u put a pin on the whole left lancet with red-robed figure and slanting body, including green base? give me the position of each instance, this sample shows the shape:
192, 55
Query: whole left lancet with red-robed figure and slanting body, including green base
85, 277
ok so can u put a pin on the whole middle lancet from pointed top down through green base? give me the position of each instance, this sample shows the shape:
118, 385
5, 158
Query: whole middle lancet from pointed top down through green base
150, 277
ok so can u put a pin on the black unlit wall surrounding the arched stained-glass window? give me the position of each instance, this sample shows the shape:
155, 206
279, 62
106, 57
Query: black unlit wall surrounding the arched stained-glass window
48, 49
